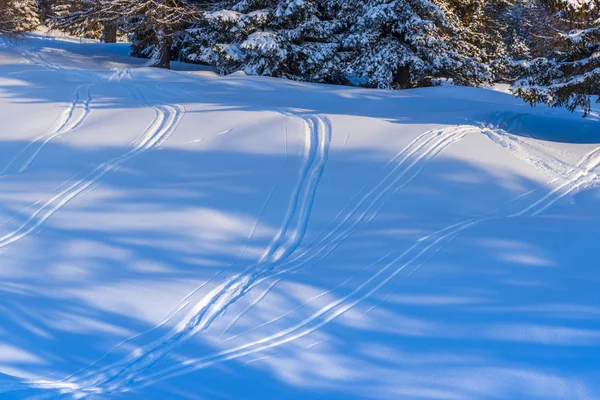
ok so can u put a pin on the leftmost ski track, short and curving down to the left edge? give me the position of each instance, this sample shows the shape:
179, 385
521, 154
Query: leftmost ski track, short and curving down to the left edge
70, 119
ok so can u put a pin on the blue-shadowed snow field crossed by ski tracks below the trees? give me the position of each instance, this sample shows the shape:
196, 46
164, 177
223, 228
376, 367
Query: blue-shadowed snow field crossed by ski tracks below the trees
180, 235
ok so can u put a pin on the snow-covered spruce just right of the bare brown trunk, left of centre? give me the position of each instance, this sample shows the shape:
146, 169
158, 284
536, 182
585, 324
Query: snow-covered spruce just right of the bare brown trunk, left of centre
296, 39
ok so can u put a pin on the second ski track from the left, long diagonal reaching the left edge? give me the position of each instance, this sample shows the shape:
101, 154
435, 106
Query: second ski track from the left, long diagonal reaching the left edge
164, 124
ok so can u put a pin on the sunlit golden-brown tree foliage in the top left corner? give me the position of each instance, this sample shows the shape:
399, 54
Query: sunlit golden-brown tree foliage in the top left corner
18, 16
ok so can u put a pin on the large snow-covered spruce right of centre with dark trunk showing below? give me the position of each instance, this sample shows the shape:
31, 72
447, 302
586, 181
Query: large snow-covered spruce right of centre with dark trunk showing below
410, 43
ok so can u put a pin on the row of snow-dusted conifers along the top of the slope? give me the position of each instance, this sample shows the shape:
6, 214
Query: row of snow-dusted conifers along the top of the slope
549, 50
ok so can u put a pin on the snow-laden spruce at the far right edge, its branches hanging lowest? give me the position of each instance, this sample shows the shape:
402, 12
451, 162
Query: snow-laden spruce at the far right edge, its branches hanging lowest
569, 74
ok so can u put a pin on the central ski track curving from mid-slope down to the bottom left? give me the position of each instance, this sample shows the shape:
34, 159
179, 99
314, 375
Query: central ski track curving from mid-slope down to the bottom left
218, 300
